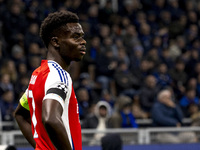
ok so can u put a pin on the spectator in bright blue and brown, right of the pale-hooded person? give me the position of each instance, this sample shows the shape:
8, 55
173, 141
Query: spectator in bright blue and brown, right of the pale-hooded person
123, 117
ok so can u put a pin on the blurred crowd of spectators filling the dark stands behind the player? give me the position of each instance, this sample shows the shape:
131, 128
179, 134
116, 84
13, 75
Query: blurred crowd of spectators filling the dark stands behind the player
136, 49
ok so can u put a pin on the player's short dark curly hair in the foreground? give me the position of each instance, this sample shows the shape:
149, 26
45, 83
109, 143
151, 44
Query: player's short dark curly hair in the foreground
53, 23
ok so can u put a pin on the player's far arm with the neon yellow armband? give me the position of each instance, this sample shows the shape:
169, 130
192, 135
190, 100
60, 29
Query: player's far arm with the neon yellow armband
22, 116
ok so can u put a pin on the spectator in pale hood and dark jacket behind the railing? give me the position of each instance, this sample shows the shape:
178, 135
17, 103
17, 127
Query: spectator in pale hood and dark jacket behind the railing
98, 120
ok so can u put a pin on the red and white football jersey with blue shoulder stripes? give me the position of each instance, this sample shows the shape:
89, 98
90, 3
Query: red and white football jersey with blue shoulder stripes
50, 81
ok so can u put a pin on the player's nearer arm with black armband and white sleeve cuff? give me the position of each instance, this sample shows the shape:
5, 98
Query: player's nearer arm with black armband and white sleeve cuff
52, 110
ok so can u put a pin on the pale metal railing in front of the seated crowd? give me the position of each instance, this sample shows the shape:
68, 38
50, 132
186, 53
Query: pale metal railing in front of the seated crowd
129, 136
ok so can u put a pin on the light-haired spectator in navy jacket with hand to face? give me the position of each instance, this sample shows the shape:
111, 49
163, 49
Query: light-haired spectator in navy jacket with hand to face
166, 113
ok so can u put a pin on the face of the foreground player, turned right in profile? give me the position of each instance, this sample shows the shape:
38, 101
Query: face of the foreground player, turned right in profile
72, 45
